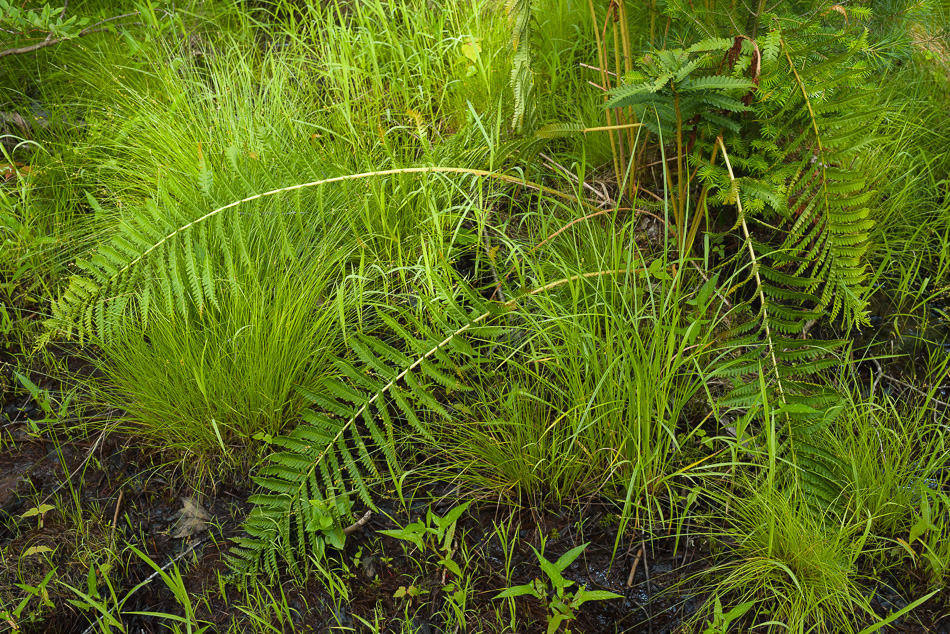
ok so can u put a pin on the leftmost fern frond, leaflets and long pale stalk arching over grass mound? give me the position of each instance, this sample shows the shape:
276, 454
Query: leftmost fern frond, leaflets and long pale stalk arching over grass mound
180, 256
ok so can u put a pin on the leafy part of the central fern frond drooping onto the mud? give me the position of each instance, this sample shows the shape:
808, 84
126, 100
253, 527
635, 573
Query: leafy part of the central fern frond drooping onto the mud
326, 461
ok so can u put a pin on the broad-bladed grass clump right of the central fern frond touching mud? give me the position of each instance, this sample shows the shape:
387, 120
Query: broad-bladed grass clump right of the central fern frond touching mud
598, 381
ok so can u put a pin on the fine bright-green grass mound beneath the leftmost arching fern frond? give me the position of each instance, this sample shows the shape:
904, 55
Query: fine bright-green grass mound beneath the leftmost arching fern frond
206, 389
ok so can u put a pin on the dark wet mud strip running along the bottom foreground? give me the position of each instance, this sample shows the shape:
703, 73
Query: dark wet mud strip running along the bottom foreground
124, 500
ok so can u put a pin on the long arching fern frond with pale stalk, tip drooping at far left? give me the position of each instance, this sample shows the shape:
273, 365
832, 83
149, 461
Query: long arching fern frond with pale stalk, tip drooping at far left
162, 255
